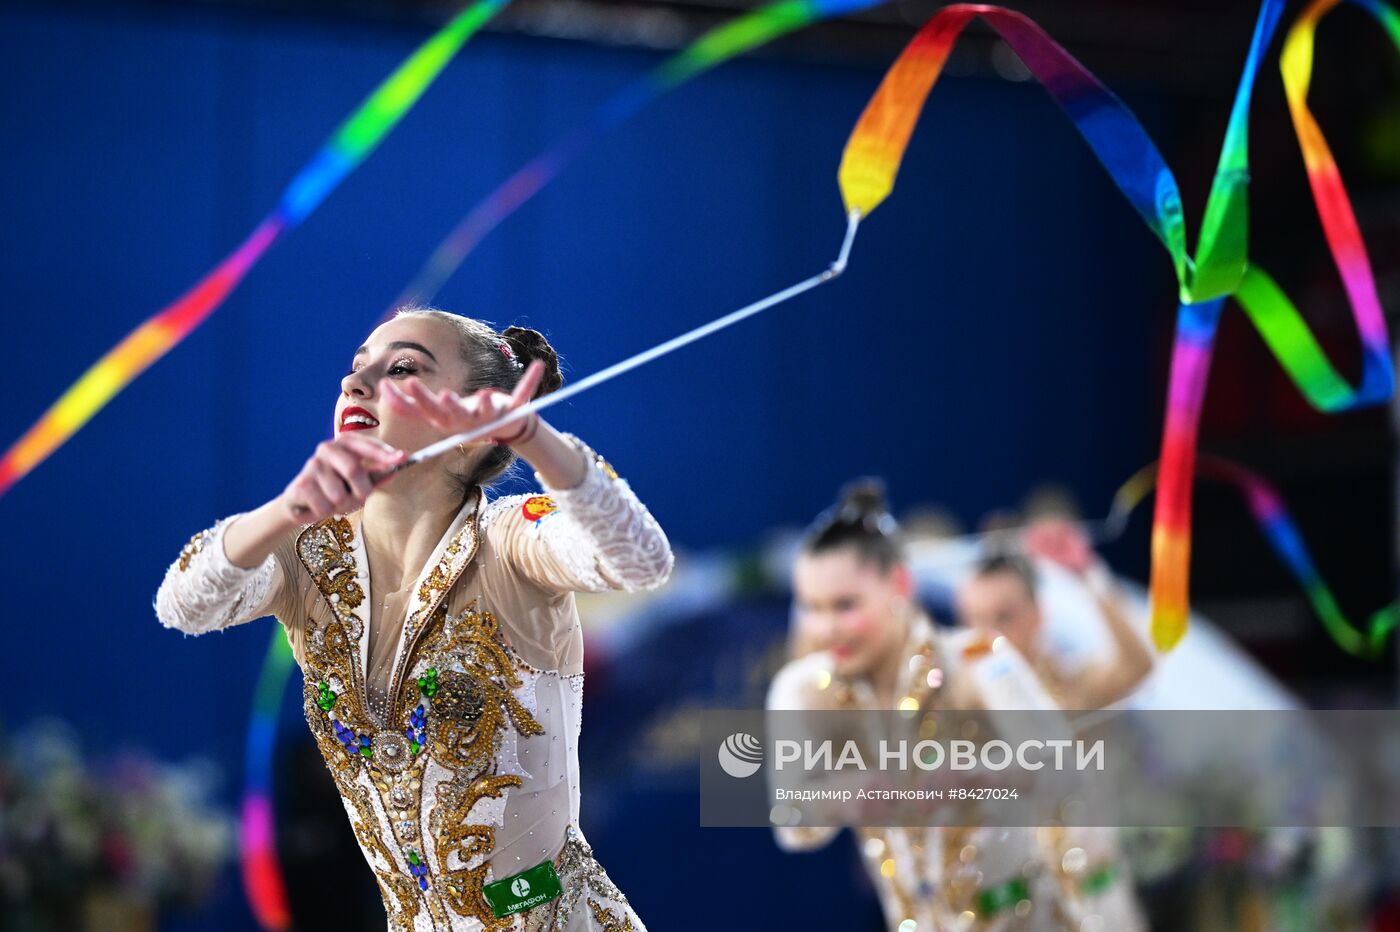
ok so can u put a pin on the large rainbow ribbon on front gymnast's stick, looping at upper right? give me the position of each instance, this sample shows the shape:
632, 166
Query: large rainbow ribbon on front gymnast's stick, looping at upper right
1220, 267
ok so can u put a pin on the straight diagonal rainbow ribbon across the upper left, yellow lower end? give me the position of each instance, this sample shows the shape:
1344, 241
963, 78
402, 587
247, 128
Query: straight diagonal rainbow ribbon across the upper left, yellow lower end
351, 145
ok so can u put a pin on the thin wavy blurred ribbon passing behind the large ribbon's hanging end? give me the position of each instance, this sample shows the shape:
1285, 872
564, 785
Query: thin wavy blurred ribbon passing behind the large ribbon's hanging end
1270, 513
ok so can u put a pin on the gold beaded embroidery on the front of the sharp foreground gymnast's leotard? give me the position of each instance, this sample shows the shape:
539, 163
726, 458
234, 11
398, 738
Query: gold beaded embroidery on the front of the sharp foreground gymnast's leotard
456, 713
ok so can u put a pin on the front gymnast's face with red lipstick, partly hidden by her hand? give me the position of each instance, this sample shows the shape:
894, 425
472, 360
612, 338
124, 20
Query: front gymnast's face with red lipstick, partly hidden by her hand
402, 349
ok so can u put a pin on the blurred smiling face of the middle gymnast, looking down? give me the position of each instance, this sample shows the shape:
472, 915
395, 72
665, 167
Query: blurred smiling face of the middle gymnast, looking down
848, 605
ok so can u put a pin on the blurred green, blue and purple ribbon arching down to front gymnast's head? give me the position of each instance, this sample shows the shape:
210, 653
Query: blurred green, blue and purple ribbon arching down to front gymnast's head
716, 47
